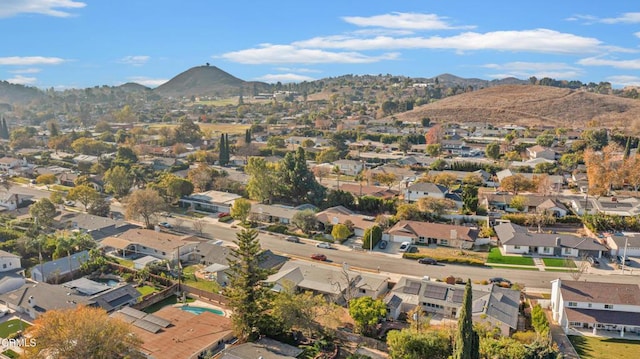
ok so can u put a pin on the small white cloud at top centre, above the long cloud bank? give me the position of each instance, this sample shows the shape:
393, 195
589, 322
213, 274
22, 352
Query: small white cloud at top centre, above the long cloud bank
399, 20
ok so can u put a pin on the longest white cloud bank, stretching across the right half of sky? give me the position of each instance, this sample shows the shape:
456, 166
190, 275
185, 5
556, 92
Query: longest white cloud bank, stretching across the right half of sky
537, 40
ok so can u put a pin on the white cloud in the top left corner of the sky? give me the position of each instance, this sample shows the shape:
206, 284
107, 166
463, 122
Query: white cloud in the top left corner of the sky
10, 8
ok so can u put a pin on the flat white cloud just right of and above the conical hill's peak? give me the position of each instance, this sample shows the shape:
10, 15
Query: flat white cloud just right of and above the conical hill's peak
288, 54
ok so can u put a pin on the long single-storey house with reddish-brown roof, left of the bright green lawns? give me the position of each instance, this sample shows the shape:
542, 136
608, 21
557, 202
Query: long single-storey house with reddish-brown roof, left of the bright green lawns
428, 233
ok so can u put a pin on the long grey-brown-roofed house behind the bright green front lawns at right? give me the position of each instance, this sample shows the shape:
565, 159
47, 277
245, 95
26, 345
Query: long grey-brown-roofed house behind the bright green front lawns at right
515, 239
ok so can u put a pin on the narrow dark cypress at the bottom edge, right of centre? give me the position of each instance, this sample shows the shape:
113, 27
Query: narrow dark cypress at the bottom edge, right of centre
467, 343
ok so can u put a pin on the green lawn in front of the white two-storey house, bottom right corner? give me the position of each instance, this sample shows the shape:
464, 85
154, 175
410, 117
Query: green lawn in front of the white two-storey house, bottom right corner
605, 348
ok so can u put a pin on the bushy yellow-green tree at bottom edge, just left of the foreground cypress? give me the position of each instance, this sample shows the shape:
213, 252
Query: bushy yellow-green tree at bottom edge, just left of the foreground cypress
412, 344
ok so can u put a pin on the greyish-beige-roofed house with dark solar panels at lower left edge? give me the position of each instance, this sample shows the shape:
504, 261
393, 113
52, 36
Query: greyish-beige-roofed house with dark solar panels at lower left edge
34, 299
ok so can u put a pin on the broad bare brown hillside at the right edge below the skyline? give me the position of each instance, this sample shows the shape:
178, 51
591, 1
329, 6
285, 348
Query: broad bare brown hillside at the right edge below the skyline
530, 105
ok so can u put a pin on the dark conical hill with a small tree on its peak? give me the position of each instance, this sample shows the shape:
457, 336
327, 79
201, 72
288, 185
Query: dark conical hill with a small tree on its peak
204, 81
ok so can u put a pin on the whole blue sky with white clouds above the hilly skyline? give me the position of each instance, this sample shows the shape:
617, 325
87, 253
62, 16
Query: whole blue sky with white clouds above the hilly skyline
85, 43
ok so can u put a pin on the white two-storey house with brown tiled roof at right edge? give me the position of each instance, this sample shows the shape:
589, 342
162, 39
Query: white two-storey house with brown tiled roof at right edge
606, 307
